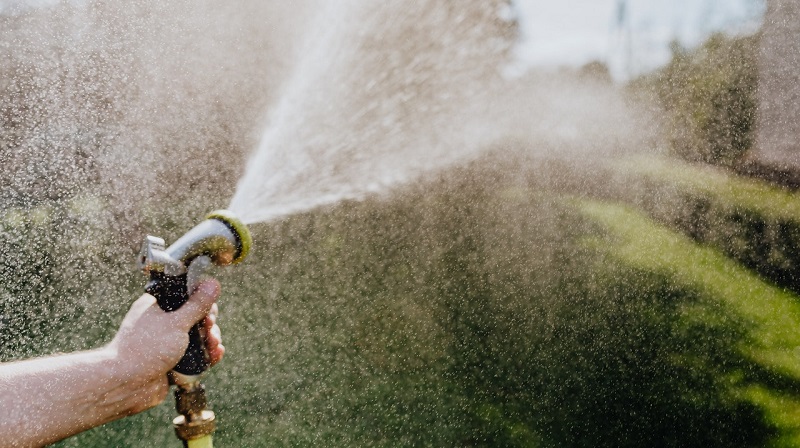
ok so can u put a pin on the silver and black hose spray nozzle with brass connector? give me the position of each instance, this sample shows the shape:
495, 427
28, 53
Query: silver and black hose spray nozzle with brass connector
221, 239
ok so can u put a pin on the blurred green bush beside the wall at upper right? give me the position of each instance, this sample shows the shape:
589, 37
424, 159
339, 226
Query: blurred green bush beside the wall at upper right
709, 96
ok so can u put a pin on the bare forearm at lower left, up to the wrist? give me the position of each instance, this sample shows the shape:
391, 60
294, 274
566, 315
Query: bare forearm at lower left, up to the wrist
45, 400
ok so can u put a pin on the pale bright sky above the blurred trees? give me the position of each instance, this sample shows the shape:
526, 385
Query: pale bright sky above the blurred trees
631, 36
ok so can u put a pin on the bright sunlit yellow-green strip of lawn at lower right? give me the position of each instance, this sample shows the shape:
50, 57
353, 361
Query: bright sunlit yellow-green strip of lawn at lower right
770, 314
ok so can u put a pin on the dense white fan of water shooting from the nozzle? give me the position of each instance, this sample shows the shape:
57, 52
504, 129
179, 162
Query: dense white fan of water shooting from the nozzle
380, 93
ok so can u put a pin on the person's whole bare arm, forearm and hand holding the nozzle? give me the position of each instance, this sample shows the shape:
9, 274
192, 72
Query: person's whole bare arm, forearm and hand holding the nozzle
44, 400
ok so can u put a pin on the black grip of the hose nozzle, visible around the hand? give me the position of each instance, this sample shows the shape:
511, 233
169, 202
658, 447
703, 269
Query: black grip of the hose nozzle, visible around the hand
171, 292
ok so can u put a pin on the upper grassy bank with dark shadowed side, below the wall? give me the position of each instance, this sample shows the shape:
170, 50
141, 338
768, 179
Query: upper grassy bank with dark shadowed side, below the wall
749, 220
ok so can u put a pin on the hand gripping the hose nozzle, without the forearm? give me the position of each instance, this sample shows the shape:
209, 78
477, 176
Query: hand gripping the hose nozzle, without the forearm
150, 342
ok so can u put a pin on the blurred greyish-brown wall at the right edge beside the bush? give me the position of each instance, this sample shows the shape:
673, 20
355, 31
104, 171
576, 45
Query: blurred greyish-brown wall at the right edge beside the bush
778, 135
